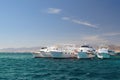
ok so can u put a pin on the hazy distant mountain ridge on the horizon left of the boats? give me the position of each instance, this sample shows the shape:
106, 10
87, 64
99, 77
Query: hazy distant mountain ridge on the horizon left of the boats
32, 49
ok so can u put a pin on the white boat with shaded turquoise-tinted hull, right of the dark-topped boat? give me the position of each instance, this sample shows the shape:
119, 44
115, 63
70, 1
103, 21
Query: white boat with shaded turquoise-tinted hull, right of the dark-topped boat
103, 52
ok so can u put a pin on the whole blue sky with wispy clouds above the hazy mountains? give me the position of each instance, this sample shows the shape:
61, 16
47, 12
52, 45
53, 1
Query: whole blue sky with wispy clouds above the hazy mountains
31, 23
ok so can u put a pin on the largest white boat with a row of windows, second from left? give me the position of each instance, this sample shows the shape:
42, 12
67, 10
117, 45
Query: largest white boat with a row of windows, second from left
66, 51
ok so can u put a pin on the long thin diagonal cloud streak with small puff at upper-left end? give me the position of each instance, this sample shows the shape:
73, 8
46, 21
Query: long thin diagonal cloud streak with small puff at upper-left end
80, 22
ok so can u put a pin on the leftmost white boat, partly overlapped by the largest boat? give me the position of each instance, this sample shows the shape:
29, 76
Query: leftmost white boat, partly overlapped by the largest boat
44, 52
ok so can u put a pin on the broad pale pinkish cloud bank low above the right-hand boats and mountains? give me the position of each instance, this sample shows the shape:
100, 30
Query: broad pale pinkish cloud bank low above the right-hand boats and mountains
101, 39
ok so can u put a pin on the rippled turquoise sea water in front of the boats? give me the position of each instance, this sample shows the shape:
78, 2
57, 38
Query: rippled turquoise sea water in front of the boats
23, 66
